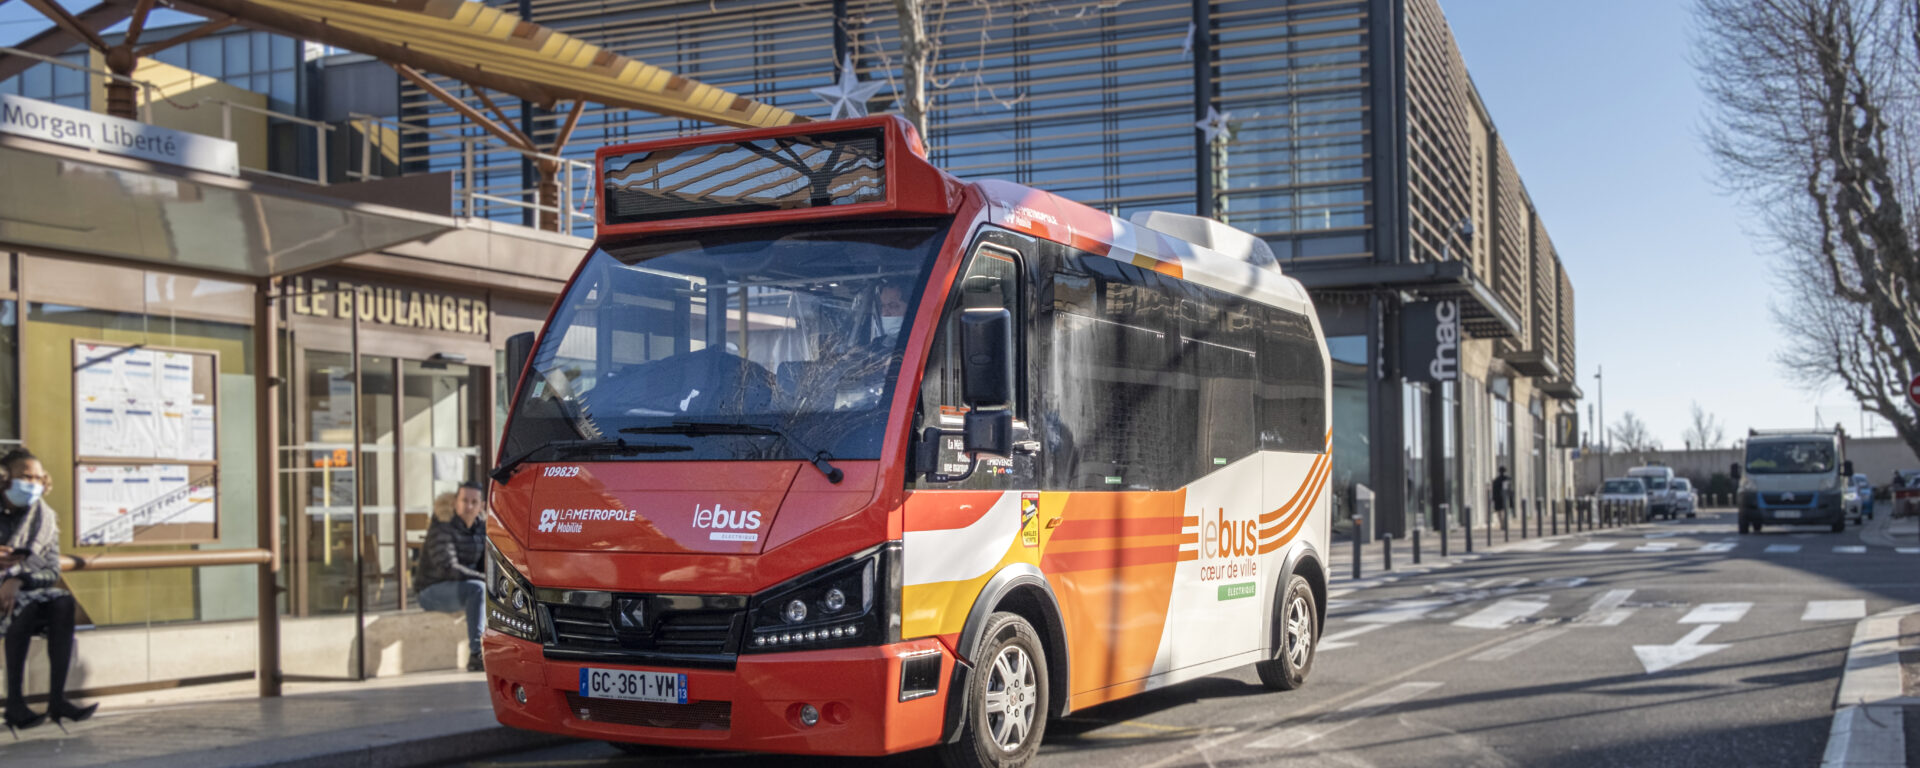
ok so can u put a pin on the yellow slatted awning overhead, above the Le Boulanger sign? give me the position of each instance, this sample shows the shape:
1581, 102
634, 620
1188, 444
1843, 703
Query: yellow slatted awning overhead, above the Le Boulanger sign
485, 47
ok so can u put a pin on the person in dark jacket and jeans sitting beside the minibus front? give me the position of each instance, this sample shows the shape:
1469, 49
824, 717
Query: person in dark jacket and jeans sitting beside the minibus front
454, 565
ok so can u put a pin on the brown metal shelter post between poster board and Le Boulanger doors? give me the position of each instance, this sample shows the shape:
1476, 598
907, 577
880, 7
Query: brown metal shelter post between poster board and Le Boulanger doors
266, 489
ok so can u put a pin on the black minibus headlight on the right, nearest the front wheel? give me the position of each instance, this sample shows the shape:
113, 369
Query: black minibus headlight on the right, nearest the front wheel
840, 606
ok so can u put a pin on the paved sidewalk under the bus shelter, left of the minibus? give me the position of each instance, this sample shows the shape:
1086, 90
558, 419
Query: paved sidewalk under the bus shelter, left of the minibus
402, 721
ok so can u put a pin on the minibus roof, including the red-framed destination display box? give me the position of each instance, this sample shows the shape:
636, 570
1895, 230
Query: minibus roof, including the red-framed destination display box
878, 168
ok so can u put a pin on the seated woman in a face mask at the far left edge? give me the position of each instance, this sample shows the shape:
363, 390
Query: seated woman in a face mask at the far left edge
32, 600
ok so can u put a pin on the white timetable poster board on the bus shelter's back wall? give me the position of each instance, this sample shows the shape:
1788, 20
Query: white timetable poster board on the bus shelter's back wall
147, 444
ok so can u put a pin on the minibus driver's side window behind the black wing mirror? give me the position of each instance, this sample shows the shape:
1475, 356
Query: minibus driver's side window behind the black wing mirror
992, 281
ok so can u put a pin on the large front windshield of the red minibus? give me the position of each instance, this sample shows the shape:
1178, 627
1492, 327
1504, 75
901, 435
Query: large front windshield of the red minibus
740, 345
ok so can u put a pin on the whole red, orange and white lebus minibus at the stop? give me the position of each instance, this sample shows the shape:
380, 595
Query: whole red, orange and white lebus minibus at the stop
825, 450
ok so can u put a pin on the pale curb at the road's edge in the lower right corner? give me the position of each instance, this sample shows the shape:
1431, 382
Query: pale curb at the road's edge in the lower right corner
1869, 731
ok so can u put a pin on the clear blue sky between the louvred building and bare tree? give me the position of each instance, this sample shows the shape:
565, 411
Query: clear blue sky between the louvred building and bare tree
1602, 112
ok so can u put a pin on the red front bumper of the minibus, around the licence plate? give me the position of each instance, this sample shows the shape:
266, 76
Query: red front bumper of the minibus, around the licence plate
754, 708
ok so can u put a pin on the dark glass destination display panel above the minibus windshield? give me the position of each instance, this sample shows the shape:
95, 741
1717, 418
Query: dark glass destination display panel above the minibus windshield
744, 178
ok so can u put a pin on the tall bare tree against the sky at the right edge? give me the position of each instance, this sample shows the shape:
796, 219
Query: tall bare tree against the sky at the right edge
1817, 124
